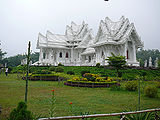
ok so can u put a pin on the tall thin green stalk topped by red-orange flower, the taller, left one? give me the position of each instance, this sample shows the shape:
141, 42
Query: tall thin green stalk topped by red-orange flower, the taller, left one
53, 100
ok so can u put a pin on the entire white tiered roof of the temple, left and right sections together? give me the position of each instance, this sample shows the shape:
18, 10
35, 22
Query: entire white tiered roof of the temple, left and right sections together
80, 36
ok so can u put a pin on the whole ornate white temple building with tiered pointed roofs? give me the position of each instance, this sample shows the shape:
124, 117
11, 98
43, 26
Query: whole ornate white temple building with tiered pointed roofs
79, 47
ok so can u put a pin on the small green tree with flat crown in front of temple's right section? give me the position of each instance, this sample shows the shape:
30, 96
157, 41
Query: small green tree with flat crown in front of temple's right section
117, 62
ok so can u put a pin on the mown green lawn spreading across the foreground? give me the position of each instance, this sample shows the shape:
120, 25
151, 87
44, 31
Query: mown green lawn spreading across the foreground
93, 100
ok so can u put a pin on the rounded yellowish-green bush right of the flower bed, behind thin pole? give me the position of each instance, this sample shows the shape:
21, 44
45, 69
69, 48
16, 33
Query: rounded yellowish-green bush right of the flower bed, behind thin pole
131, 85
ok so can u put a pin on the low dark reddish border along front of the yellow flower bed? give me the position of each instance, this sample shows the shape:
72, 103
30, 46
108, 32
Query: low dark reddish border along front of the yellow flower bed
91, 84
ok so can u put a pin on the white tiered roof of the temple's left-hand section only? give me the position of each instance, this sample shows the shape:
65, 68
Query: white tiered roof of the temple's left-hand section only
76, 35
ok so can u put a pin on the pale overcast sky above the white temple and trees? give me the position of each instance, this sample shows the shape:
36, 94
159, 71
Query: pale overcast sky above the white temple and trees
22, 20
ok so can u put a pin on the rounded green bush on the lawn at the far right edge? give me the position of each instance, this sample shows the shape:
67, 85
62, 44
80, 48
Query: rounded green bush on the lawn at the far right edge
151, 91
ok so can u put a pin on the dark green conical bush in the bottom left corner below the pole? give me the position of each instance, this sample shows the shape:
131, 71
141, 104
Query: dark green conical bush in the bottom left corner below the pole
21, 113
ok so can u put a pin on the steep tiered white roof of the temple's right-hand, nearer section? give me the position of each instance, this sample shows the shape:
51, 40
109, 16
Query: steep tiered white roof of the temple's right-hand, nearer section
116, 32
